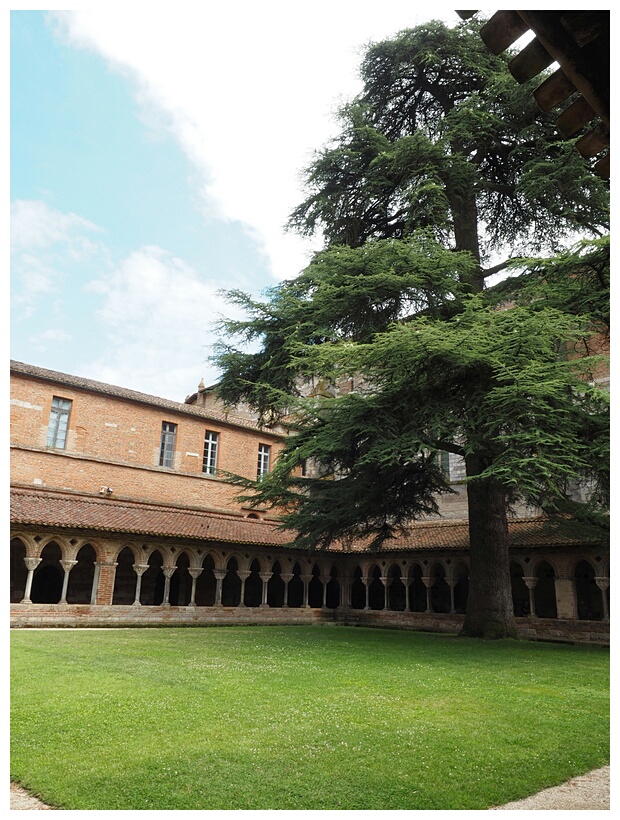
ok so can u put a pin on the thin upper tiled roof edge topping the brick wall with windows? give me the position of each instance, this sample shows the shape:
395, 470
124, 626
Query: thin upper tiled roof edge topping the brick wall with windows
90, 385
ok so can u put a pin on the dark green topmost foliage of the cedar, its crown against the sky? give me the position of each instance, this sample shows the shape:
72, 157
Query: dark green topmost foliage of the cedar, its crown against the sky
443, 137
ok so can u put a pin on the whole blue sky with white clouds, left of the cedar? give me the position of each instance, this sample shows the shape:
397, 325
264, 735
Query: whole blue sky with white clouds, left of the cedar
154, 162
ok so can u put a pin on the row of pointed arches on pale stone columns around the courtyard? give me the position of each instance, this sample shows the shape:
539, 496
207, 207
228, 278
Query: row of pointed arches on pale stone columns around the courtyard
59, 569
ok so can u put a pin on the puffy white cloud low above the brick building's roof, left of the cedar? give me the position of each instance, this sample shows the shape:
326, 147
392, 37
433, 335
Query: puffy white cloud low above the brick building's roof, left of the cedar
156, 318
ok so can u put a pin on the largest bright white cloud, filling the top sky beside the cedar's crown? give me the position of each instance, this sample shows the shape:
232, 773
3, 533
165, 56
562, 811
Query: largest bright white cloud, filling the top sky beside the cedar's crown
248, 89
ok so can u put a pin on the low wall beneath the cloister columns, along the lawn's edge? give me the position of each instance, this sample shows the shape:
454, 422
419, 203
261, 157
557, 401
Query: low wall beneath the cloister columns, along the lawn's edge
82, 615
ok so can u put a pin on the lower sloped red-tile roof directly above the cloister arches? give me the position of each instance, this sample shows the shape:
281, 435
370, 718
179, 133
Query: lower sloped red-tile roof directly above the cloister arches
73, 511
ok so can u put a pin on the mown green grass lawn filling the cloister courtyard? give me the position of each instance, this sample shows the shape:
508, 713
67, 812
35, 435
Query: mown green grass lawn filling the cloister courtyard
319, 717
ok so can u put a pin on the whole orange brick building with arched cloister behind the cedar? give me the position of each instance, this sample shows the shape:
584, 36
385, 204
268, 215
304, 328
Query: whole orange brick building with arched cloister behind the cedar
120, 514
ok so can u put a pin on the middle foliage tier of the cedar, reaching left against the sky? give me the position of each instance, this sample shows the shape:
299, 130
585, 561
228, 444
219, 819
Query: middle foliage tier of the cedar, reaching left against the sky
345, 294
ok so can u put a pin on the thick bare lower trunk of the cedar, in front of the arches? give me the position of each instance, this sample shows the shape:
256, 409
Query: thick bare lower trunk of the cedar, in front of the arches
490, 612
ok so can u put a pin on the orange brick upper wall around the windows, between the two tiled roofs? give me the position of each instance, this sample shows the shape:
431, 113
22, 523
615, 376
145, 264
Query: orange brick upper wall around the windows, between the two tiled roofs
115, 442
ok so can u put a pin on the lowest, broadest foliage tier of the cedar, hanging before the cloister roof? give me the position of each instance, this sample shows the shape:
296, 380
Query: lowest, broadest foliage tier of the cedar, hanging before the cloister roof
488, 383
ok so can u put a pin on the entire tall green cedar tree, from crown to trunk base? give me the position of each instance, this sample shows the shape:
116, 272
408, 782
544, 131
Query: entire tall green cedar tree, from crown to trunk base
441, 165
